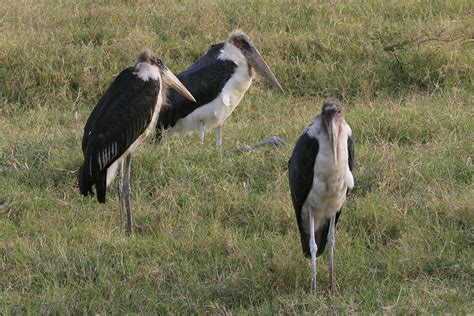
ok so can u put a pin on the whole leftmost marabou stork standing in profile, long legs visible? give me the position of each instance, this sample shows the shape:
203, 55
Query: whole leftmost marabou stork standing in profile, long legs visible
121, 120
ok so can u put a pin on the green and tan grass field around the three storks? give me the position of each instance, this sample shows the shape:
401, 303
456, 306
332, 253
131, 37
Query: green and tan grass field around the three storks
215, 230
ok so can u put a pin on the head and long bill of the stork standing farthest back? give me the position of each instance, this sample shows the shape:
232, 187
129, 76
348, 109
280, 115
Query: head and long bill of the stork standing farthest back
240, 40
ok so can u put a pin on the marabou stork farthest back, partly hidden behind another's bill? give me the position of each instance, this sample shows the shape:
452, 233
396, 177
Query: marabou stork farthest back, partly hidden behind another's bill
218, 81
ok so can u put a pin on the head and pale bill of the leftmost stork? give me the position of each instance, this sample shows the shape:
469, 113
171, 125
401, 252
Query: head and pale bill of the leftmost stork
169, 79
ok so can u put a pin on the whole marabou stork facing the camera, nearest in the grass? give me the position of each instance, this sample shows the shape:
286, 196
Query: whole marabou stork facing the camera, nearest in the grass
320, 174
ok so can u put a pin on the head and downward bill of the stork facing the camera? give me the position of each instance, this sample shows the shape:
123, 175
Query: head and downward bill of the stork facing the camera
332, 119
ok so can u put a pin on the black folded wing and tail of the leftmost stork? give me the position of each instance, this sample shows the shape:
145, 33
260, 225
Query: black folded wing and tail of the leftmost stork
120, 117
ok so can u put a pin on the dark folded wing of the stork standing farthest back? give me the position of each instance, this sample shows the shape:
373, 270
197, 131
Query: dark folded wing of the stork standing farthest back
204, 79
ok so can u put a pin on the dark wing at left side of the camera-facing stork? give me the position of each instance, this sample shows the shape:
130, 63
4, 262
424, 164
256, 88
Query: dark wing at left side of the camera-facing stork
300, 176
